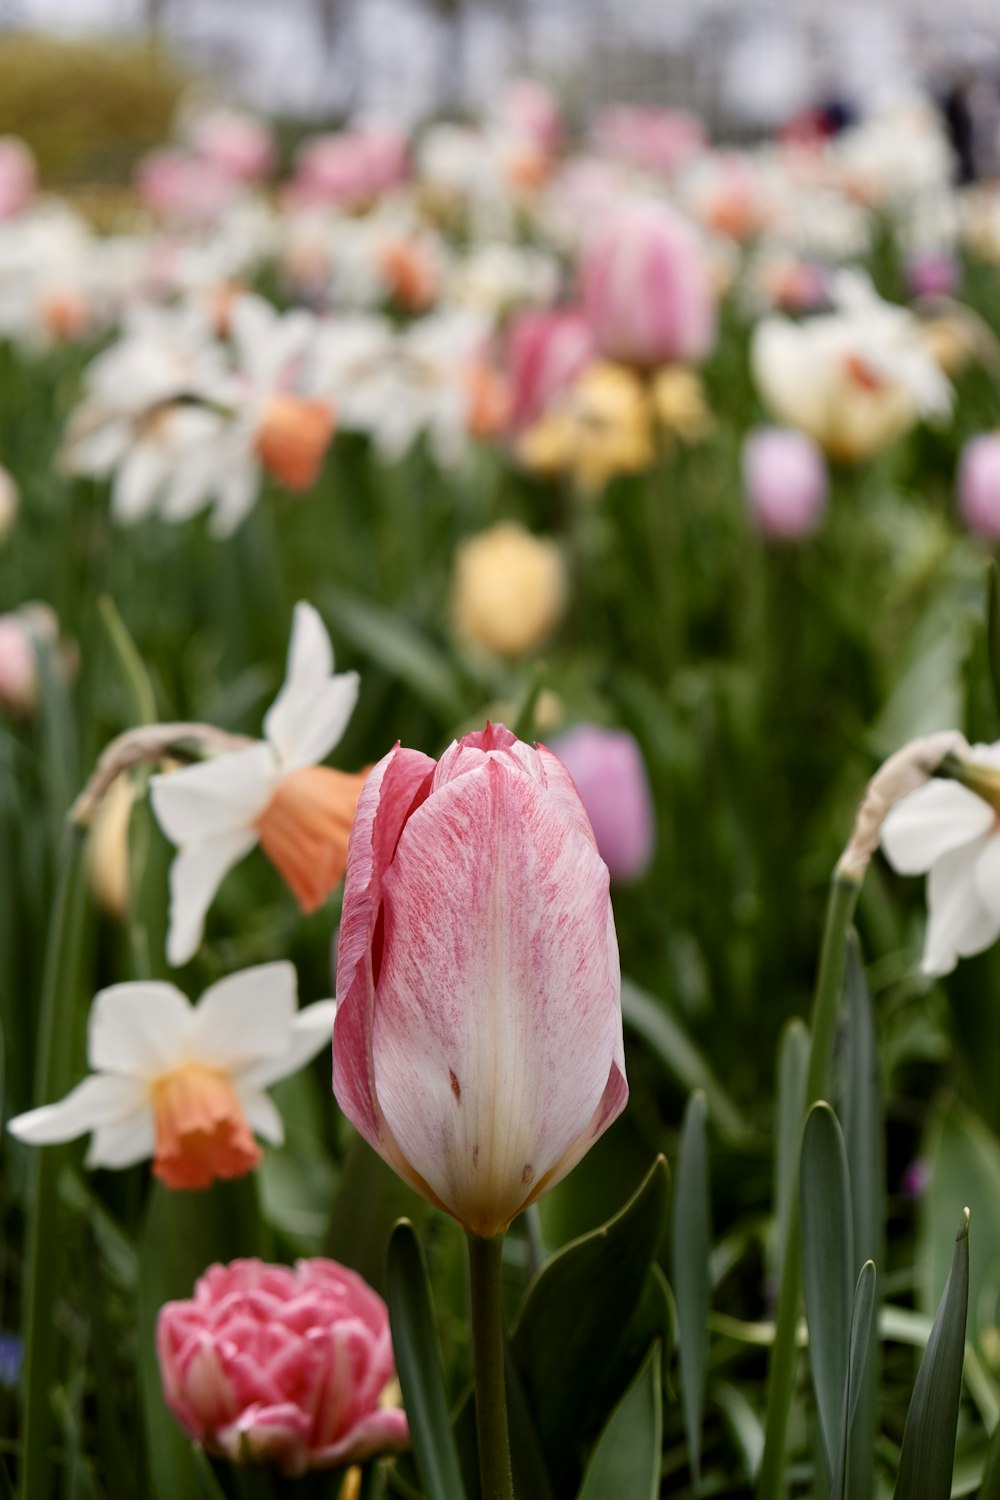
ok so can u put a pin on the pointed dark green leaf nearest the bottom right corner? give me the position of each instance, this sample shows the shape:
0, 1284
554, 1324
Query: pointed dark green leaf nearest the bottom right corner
932, 1424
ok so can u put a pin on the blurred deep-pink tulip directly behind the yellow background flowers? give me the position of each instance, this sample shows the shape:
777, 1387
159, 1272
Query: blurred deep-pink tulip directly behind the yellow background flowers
546, 350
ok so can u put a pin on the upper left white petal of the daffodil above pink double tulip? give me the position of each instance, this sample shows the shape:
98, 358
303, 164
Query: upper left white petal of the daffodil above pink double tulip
139, 1030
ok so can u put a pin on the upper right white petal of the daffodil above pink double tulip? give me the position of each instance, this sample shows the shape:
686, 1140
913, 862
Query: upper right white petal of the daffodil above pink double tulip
247, 1018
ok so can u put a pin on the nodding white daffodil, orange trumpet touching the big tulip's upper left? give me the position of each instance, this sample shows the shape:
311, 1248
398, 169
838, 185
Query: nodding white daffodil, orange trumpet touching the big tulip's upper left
272, 793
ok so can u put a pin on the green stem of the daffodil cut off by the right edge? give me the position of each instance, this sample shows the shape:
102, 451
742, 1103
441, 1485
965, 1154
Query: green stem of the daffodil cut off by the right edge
830, 986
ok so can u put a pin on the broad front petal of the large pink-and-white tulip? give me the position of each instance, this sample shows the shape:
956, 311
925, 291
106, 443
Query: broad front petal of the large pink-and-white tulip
500, 991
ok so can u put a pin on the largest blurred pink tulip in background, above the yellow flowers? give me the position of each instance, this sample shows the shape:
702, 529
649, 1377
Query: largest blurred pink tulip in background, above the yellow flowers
647, 287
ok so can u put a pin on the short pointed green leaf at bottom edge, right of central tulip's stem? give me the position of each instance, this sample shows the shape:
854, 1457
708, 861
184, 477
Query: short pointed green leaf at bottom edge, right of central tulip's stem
627, 1459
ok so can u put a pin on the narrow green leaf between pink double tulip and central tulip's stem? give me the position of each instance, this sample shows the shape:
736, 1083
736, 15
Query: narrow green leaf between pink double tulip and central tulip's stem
419, 1366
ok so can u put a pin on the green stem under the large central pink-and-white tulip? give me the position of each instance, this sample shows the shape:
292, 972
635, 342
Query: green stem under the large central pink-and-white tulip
488, 1364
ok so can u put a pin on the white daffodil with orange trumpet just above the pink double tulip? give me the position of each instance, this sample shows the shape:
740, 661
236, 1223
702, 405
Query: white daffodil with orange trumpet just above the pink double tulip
187, 1084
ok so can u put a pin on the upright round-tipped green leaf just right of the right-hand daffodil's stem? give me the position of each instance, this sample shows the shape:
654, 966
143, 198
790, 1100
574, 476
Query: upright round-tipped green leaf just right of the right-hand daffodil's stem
827, 1268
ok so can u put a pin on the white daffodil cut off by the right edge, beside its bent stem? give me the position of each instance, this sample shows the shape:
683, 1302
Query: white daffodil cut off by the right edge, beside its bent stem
953, 835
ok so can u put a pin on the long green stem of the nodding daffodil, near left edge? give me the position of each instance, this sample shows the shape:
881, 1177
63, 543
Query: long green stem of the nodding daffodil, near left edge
56, 1037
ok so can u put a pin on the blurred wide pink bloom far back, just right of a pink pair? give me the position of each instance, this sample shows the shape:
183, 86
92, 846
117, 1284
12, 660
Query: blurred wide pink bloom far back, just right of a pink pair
350, 169
